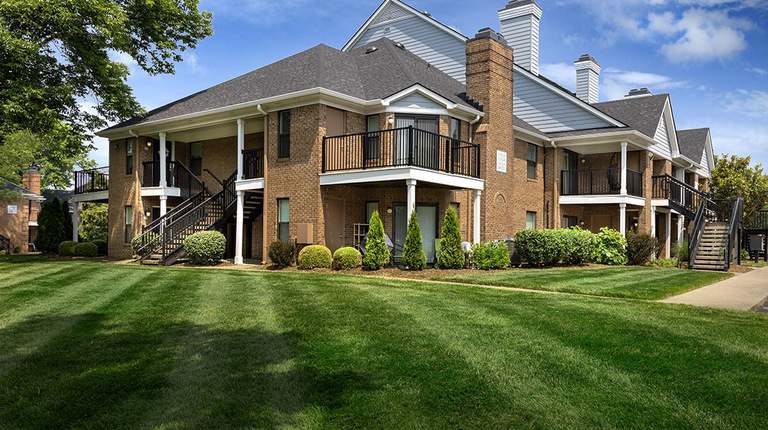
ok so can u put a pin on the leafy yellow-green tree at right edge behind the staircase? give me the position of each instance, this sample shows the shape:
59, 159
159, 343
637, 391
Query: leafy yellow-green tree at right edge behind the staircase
734, 177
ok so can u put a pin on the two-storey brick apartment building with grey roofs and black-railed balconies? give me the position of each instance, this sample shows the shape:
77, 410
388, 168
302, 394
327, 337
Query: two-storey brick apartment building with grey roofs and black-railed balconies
408, 115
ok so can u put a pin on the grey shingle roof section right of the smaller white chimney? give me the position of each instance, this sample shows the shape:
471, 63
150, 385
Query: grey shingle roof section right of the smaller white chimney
640, 113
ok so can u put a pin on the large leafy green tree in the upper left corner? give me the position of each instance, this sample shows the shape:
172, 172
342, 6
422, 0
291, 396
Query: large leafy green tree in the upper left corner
56, 54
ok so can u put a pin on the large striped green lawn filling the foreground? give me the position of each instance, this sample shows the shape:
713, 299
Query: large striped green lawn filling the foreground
89, 345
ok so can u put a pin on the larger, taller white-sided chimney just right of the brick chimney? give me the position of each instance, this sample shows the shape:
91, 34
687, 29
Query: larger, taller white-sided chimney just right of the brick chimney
520, 27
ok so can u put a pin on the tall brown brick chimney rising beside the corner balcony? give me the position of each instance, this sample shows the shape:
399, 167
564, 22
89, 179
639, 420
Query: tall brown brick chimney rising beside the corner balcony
489, 82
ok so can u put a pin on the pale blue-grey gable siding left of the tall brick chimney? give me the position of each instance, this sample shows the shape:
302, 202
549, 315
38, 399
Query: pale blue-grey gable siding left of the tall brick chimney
433, 45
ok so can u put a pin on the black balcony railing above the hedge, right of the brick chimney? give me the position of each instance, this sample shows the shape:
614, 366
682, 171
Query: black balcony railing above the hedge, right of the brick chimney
599, 181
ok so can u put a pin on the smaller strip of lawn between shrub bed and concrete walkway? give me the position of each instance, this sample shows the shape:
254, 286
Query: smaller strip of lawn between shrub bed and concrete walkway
650, 283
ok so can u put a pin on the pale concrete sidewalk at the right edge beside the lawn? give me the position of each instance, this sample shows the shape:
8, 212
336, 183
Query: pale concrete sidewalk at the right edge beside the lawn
742, 292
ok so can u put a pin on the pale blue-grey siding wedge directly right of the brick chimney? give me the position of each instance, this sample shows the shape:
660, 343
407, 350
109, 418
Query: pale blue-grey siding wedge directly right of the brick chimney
548, 111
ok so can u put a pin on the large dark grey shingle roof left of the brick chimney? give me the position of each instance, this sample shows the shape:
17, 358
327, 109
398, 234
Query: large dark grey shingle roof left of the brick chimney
372, 76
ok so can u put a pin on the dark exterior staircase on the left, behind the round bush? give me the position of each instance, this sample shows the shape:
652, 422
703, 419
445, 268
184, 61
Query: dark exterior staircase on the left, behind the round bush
162, 241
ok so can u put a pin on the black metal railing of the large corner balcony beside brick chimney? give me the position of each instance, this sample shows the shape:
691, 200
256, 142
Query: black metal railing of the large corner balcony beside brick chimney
407, 146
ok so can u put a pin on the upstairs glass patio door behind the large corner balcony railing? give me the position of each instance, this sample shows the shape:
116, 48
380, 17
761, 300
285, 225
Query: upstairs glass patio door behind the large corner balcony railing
425, 142
